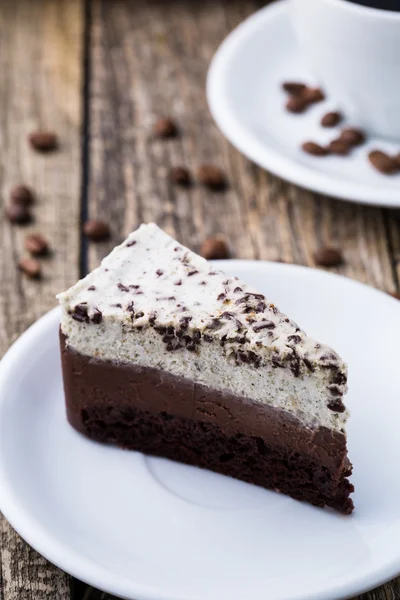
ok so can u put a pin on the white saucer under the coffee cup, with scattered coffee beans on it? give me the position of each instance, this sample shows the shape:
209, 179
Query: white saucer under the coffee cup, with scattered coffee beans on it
247, 103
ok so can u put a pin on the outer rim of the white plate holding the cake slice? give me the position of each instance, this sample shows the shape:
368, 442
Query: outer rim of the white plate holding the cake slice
86, 569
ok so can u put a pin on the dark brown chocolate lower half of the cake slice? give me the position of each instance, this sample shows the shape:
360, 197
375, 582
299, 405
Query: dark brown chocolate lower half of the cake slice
152, 411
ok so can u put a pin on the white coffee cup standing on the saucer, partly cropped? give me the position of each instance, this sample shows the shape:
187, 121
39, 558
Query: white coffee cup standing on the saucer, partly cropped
354, 52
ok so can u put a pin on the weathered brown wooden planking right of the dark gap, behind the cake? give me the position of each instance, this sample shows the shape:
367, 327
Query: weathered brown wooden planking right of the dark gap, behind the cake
151, 58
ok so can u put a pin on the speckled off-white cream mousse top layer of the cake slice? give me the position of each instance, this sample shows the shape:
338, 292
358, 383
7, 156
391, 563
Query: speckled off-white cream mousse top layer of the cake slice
154, 303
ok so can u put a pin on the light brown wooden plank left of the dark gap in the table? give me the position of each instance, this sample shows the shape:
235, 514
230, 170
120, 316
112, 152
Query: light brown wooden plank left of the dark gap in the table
40, 83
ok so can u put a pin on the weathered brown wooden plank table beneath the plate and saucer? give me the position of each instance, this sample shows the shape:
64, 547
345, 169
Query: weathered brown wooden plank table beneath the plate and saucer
98, 72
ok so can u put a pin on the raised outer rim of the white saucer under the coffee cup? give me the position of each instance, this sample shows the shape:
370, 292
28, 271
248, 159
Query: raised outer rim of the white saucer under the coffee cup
278, 163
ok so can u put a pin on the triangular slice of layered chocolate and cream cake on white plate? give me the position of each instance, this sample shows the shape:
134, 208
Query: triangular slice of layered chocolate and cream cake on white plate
164, 354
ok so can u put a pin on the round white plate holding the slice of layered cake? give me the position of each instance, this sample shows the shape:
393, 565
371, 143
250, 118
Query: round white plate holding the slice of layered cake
148, 529
